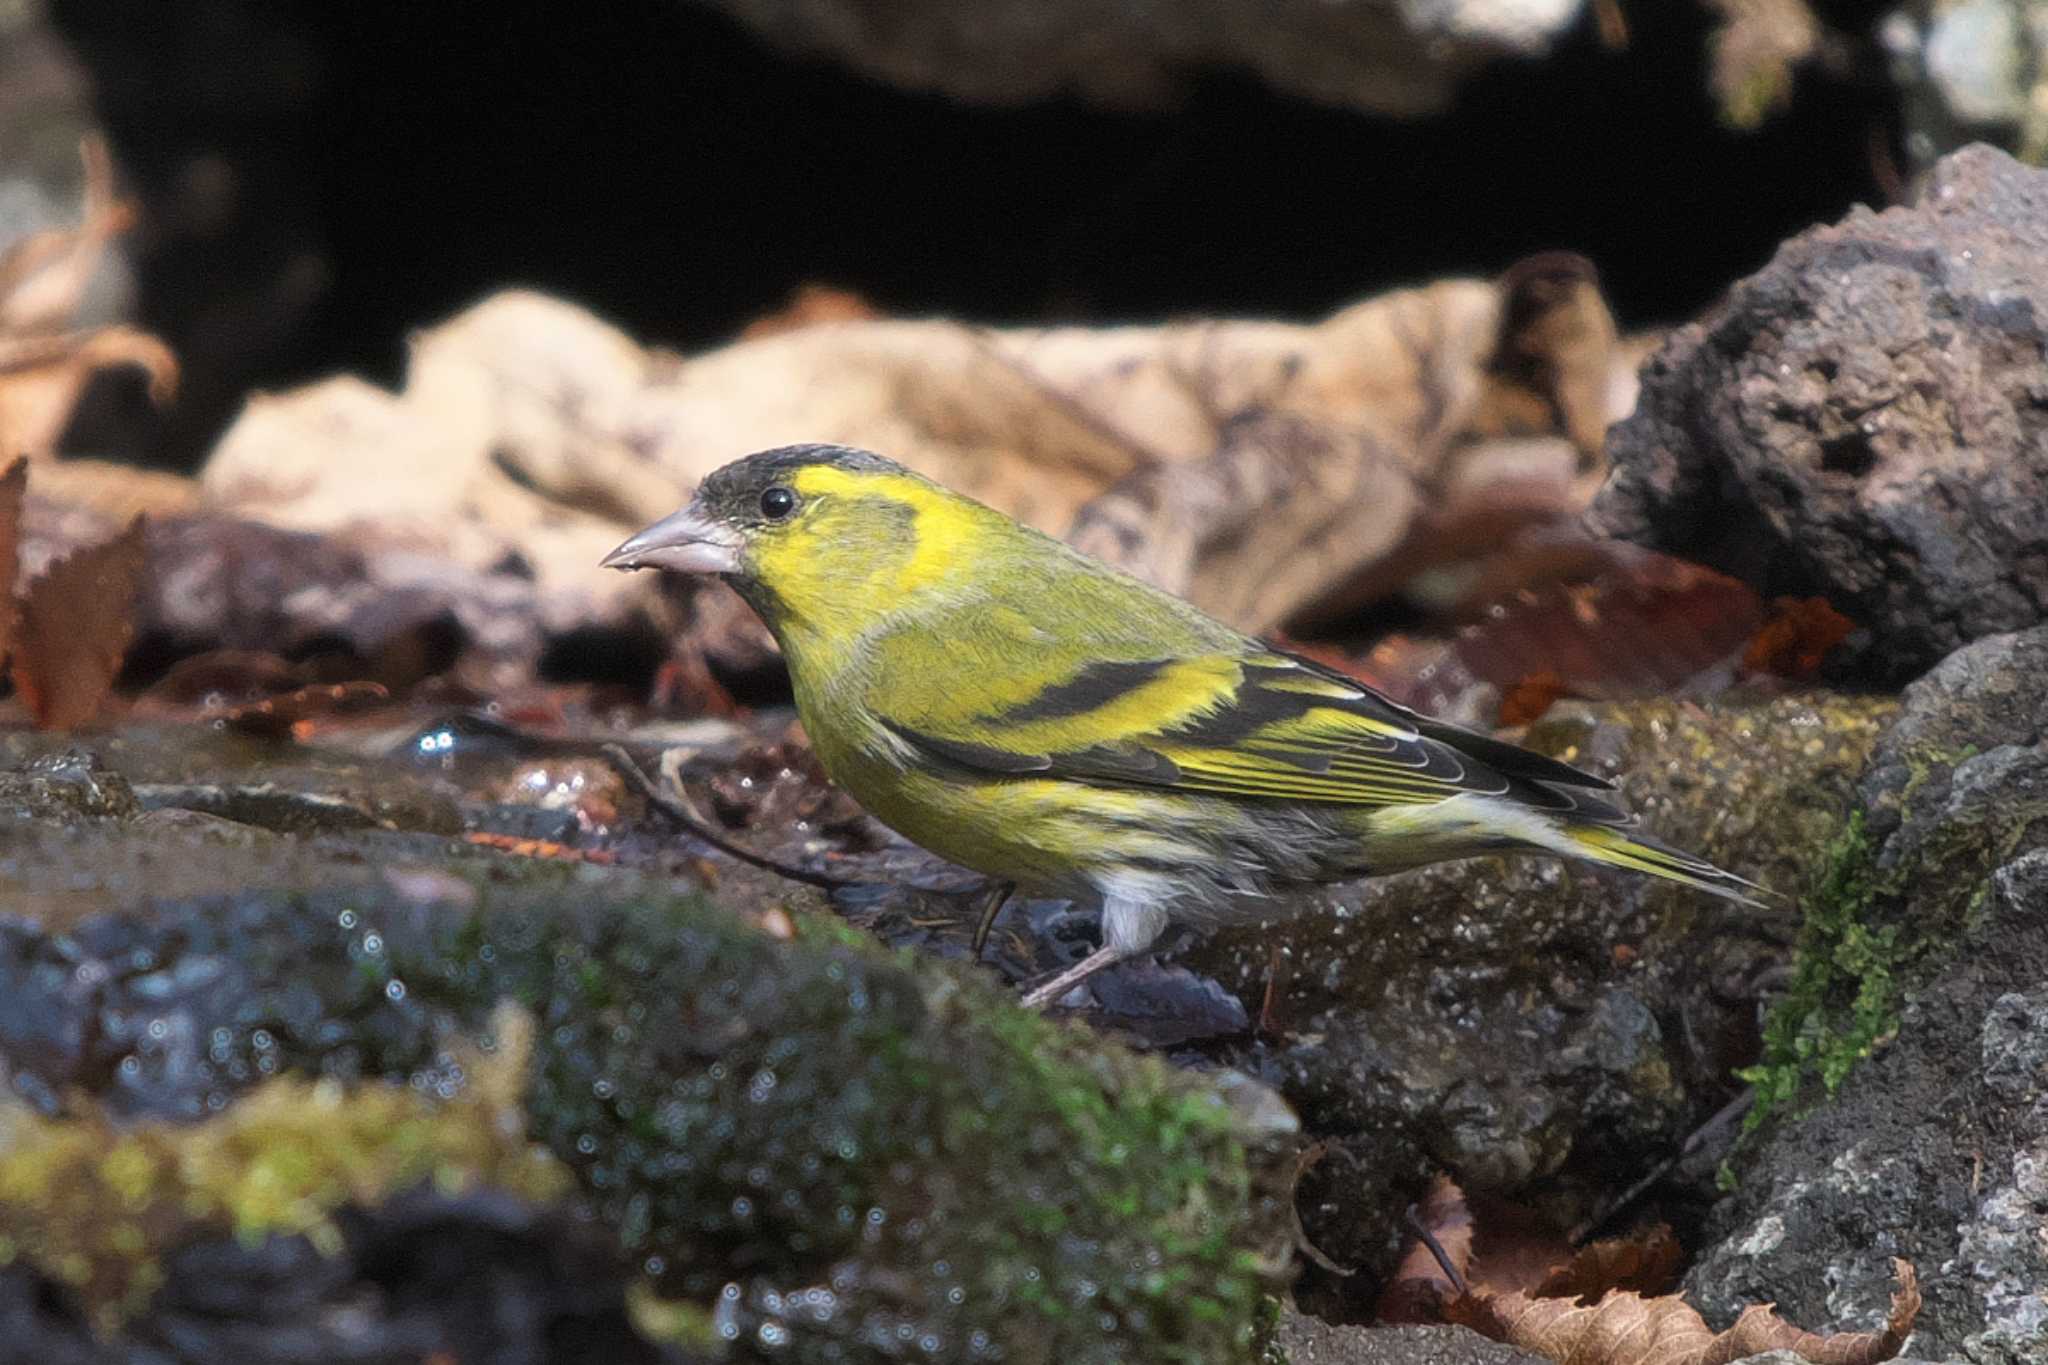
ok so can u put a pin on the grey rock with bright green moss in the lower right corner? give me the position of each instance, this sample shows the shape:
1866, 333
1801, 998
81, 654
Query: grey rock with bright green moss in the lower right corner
1936, 930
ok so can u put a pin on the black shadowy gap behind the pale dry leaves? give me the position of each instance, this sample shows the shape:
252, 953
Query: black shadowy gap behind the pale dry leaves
321, 179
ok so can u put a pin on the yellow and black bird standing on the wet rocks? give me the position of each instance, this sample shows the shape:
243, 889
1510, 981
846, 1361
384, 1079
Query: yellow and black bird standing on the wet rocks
1064, 728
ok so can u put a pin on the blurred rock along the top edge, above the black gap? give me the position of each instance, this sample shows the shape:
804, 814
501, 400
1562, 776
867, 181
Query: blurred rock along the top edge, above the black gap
1381, 56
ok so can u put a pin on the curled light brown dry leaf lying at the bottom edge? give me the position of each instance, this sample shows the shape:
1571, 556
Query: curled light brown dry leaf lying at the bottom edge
1627, 1329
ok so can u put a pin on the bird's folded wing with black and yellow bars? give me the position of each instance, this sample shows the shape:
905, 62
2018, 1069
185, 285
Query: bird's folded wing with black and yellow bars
1261, 725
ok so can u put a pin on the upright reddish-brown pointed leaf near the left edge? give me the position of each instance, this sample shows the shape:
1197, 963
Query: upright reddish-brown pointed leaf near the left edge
75, 629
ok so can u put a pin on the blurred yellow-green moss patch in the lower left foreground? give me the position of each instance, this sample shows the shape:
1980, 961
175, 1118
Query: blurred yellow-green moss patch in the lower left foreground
95, 1206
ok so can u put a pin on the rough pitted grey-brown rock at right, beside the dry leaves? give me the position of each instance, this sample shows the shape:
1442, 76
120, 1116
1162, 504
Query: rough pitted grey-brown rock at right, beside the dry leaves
1867, 421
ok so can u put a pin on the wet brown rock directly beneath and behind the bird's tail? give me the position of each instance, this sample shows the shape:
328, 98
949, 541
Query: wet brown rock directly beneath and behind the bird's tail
1545, 1032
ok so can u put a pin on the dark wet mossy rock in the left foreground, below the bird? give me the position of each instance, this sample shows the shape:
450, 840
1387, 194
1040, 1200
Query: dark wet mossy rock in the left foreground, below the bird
822, 1149
